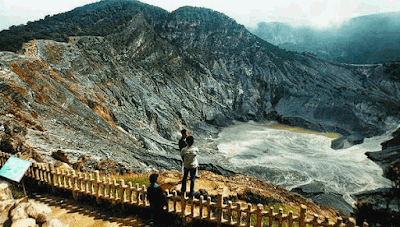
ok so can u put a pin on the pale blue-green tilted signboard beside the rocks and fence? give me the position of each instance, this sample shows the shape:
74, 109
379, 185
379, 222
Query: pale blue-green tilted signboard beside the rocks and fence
14, 169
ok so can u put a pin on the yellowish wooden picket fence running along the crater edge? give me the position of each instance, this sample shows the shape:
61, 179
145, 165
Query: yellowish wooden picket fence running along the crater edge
92, 184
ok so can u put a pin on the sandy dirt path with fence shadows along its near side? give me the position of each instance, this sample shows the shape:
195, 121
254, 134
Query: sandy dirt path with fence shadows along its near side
75, 214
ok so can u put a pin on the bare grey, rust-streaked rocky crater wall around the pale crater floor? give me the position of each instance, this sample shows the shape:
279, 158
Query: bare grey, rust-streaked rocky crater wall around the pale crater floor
122, 98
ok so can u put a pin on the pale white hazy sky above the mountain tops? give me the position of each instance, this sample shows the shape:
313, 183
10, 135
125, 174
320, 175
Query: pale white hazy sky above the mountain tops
248, 12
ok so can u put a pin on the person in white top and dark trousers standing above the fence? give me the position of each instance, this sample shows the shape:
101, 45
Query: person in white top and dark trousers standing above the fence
190, 164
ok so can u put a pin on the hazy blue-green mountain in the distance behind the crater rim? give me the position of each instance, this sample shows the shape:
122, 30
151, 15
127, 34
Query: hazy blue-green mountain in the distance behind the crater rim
366, 39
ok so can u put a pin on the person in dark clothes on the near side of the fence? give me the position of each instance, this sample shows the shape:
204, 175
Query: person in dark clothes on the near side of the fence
157, 199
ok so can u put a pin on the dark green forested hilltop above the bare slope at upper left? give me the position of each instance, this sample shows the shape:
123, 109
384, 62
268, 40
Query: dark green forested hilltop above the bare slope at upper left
98, 19
